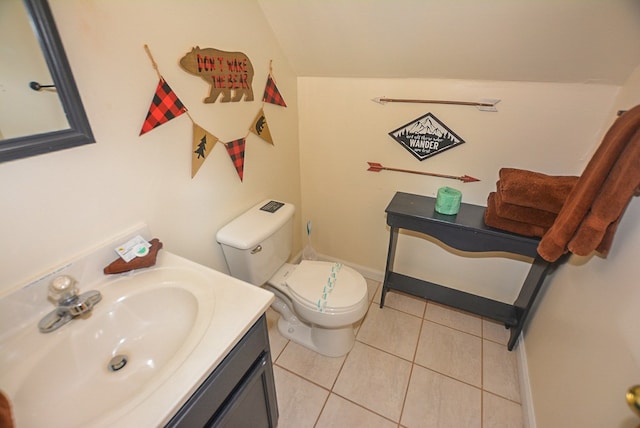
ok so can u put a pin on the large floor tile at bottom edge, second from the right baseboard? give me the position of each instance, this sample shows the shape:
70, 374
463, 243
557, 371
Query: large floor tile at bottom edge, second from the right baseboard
434, 400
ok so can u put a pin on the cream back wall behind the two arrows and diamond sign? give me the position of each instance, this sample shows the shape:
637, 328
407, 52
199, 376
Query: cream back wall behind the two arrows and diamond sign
549, 128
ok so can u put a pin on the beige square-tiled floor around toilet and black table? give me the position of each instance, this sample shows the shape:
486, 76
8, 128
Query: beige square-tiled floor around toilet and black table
414, 364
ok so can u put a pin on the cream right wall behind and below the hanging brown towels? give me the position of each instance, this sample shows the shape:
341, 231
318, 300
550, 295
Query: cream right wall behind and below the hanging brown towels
583, 345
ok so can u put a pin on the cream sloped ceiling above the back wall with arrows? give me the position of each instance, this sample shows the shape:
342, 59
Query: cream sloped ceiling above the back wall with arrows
586, 41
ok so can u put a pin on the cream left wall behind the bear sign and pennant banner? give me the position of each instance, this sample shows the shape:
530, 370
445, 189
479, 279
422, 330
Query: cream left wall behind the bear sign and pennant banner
56, 205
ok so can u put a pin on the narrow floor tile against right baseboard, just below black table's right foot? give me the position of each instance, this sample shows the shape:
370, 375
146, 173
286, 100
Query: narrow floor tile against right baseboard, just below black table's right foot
500, 371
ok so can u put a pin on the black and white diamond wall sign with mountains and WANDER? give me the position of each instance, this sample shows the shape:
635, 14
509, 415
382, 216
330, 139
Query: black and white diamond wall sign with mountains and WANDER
426, 136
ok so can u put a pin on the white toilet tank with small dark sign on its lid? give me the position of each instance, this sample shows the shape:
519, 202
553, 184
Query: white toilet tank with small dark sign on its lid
258, 242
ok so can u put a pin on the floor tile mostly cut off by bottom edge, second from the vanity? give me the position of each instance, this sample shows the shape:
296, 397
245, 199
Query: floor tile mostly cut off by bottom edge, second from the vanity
339, 412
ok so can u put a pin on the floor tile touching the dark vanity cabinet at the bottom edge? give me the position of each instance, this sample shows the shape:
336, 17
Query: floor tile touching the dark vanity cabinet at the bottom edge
299, 401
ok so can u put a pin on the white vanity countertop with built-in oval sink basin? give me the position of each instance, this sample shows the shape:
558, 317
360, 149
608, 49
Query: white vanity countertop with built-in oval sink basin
171, 323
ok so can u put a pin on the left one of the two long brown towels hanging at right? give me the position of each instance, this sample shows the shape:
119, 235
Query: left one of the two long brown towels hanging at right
554, 243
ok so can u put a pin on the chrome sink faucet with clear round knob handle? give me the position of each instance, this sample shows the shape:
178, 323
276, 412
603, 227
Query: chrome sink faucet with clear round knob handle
64, 292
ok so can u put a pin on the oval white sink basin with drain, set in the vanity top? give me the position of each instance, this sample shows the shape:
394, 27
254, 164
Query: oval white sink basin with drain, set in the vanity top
149, 321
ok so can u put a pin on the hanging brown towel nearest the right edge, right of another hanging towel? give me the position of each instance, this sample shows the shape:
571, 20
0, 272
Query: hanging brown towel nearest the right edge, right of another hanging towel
610, 203
